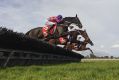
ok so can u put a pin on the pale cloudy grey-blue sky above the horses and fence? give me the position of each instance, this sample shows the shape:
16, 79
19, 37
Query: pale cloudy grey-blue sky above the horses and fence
100, 18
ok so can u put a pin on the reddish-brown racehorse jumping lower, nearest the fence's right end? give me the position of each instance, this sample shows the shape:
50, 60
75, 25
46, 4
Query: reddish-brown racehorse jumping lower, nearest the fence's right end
75, 42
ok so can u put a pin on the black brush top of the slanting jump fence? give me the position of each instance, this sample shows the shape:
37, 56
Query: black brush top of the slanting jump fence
19, 41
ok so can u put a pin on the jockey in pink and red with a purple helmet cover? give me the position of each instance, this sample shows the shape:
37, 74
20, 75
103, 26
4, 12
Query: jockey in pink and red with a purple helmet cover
51, 24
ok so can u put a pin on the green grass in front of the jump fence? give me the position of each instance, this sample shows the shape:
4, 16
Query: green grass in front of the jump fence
86, 70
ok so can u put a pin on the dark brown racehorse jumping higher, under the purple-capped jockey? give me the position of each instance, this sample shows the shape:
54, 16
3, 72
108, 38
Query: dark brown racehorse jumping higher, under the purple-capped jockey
37, 32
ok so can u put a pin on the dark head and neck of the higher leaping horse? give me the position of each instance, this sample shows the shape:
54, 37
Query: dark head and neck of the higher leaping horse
70, 20
